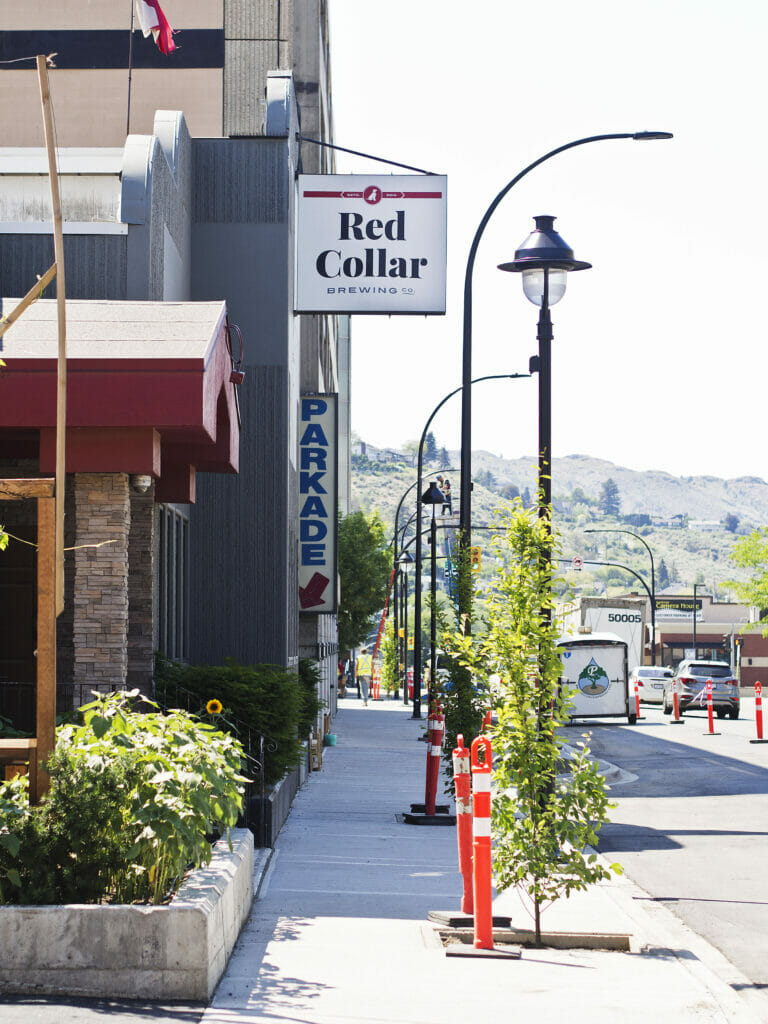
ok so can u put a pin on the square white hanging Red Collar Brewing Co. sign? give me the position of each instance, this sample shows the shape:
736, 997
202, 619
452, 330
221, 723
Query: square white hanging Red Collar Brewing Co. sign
371, 244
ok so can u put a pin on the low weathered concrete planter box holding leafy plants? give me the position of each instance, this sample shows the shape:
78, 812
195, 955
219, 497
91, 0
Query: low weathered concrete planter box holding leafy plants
178, 952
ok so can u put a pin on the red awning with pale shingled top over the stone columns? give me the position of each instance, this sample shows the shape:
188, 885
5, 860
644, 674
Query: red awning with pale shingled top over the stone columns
148, 391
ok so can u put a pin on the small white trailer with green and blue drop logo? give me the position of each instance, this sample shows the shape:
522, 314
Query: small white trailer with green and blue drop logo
595, 672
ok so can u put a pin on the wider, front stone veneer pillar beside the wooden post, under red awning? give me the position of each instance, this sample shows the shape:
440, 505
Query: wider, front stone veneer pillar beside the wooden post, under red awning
103, 514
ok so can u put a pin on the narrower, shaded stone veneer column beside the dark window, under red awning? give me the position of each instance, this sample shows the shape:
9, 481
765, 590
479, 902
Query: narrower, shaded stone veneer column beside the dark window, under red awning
142, 614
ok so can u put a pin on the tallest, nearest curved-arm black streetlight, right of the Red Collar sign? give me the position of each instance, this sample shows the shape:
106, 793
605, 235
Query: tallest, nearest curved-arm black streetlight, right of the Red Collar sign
465, 490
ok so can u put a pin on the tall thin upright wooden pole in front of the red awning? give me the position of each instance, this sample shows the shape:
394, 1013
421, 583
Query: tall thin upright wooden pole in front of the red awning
61, 477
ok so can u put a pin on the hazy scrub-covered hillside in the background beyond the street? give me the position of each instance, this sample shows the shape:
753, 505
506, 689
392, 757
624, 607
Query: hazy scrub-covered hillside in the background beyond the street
684, 557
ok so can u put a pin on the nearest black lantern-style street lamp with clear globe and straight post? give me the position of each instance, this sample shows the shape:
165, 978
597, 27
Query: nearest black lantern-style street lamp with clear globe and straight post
545, 262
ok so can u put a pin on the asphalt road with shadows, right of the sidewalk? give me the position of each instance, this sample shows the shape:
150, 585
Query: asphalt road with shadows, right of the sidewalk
693, 829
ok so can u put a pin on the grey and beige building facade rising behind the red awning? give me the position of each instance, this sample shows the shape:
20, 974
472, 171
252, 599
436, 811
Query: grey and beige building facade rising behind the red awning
196, 204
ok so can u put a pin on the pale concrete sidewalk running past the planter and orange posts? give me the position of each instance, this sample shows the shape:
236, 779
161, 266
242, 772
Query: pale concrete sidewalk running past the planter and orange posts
339, 932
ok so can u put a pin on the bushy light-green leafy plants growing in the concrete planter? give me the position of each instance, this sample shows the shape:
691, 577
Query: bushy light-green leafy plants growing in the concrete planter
135, 799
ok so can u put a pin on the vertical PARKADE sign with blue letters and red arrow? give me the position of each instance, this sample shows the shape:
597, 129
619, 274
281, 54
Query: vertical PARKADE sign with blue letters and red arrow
318, 502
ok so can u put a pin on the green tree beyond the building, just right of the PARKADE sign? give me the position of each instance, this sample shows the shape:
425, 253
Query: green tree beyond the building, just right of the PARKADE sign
365, 566
